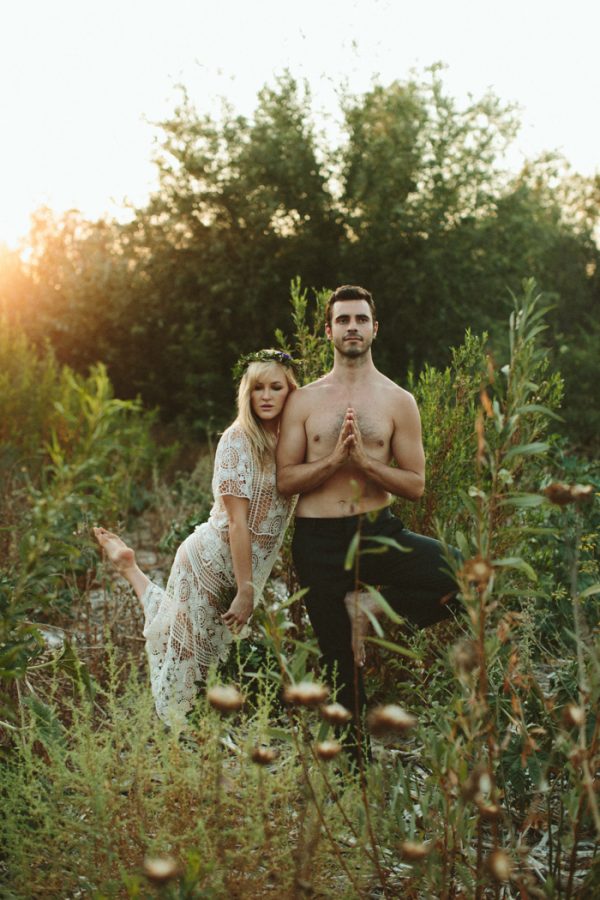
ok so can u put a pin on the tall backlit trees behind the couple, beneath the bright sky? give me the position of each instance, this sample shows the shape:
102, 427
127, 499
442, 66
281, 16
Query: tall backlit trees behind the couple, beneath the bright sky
414, 203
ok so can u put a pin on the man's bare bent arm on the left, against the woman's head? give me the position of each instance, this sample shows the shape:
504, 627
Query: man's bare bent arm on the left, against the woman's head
294, 475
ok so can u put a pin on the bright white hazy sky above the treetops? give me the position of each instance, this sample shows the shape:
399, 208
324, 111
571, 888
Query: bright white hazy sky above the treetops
81, 81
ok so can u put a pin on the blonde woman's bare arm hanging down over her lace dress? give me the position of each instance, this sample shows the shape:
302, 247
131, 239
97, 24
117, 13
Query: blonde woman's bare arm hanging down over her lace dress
240, 544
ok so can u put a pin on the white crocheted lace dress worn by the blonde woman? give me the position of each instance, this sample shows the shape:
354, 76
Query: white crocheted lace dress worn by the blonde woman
183, 628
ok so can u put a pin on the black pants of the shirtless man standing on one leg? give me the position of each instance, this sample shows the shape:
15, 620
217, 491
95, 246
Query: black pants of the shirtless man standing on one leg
416, 584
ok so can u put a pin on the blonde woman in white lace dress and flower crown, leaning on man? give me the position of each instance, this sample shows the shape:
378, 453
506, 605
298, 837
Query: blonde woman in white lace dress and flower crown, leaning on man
189, 624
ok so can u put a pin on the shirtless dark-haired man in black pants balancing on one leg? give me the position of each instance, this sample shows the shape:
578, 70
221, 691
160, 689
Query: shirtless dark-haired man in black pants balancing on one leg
339, 438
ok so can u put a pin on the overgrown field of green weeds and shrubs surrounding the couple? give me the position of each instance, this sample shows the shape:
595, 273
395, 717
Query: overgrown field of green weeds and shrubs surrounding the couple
485, 731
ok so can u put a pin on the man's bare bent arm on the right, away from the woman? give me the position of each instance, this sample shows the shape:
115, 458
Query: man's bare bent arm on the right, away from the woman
408, 480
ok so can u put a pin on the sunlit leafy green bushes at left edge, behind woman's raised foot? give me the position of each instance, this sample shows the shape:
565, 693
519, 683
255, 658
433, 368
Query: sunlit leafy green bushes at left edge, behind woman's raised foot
77, 456
